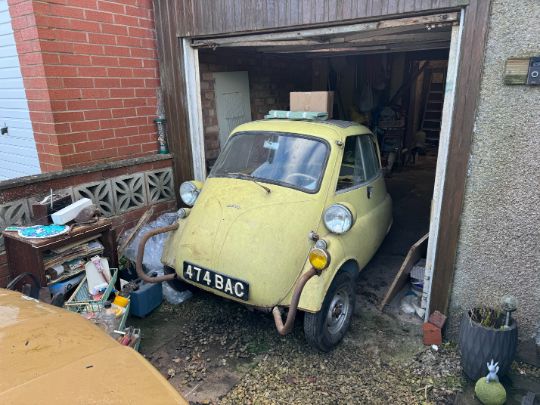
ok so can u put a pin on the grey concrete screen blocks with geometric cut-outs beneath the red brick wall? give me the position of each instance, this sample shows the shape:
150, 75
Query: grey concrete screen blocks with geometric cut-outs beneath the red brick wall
114, 196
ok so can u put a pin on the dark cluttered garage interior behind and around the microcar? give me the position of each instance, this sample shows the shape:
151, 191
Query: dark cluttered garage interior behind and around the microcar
391, 79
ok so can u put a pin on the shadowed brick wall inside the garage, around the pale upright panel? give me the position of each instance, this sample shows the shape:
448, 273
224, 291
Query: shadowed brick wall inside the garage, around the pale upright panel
271, 79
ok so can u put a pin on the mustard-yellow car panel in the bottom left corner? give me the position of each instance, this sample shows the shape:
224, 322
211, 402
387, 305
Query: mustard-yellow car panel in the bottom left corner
52, 356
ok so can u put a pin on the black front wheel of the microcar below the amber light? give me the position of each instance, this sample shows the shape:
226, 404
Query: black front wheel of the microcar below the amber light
325, 329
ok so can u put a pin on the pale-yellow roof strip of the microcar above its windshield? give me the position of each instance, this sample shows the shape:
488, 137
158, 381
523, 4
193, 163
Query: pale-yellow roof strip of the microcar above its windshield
331, 130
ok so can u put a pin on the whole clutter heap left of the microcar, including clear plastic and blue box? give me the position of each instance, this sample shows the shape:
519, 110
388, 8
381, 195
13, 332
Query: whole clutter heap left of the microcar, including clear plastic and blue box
71, 255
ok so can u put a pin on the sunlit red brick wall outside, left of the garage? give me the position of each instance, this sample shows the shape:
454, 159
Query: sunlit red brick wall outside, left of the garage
90, 73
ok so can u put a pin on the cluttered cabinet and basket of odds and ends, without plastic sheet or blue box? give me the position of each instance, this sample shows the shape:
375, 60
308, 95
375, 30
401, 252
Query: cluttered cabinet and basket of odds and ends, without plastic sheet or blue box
76, 264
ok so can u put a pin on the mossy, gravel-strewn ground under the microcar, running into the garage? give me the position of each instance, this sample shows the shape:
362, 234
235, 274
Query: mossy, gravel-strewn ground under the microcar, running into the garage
216, 351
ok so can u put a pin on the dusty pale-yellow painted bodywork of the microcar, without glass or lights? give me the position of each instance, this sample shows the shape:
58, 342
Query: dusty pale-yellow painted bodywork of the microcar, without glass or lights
237, 229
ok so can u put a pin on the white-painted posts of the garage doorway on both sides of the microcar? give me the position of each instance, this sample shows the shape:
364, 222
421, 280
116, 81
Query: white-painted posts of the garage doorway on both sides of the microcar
191, 73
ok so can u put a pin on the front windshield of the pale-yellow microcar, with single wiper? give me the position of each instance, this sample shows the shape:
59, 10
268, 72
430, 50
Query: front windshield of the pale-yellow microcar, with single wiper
286, 159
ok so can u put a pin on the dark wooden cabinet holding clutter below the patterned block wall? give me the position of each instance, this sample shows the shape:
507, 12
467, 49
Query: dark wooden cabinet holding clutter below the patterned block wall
26, 255
